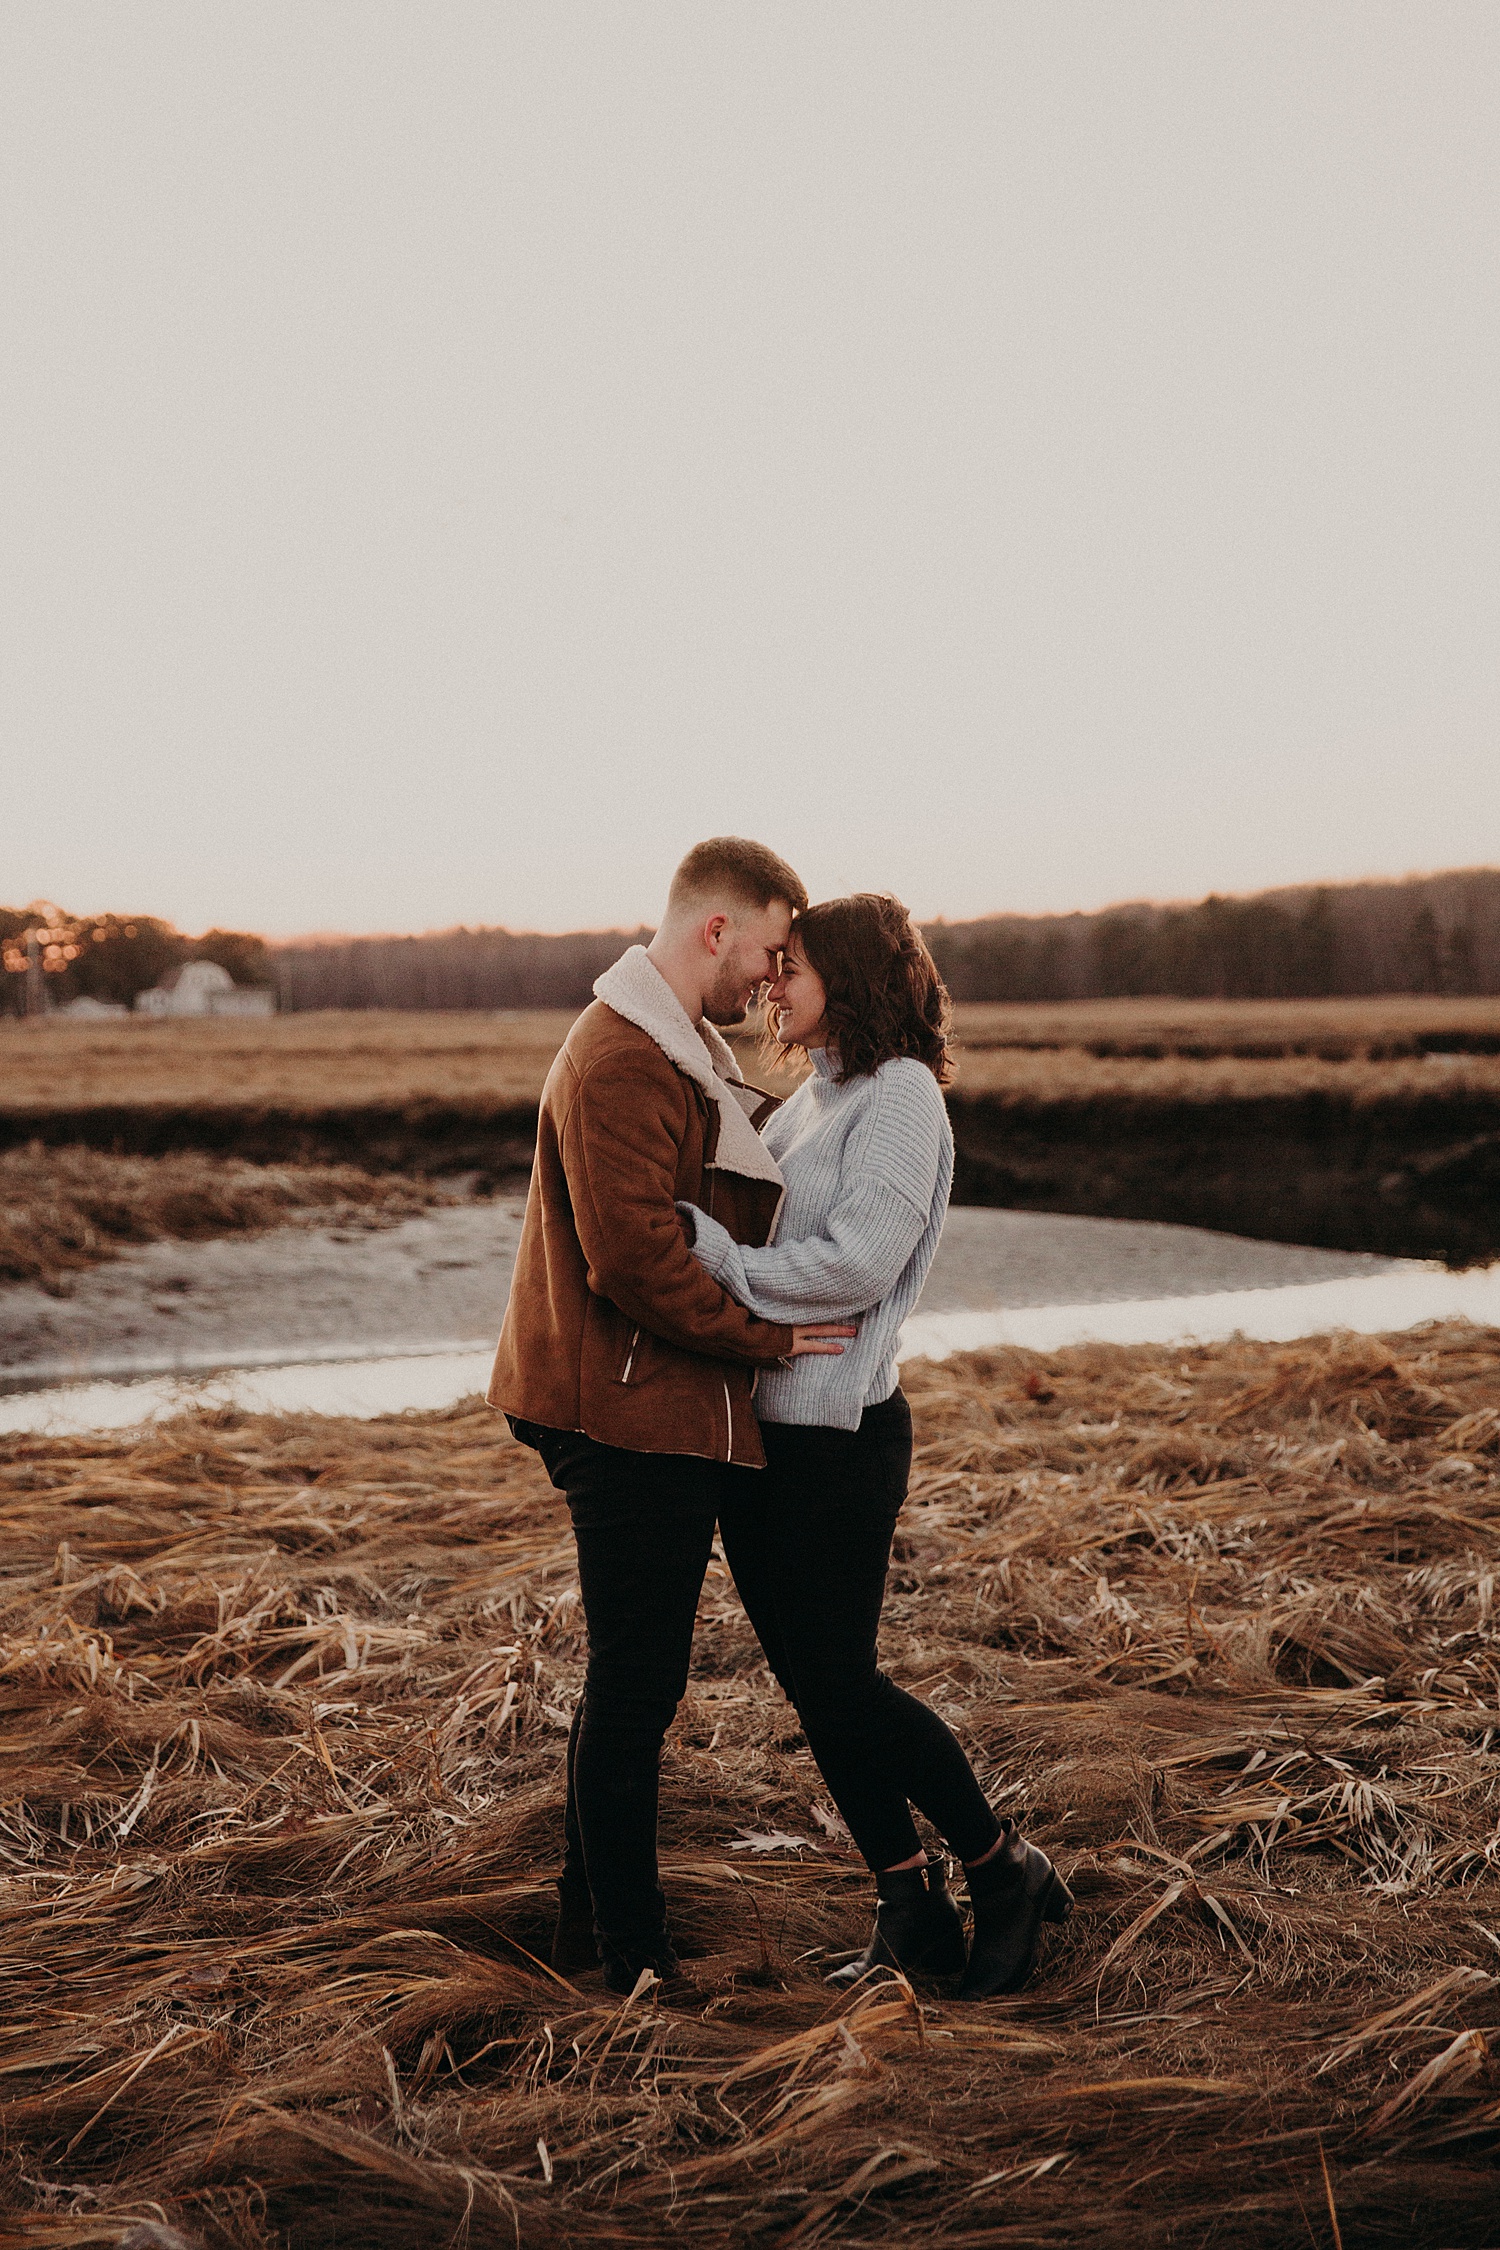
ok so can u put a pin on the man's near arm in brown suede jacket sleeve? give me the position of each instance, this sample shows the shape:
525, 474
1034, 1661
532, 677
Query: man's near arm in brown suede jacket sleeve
622, 1142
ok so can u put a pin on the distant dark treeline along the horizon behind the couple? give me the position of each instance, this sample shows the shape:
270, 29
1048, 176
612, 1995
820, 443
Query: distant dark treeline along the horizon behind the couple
1425, 935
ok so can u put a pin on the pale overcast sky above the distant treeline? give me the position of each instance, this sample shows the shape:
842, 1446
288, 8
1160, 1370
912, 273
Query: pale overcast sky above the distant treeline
1022, 456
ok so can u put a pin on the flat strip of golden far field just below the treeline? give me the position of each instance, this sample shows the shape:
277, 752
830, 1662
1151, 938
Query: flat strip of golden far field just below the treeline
1159, 1050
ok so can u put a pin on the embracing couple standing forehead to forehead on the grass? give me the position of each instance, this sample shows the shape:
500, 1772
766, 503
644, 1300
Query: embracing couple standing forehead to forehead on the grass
703, 1333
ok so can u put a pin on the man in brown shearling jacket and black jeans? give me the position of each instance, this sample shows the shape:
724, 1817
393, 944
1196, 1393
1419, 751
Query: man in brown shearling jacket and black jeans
629, 1367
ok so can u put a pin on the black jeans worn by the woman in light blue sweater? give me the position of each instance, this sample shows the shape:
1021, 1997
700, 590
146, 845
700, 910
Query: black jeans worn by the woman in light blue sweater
808, 1540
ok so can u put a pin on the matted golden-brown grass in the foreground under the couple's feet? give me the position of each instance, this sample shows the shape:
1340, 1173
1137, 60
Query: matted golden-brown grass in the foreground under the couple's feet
287, 1707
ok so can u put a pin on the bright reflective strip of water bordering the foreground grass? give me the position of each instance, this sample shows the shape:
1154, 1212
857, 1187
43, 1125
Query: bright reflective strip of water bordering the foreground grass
1400, 1297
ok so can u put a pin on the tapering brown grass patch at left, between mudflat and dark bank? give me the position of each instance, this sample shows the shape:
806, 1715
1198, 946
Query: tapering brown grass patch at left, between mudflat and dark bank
64, 1209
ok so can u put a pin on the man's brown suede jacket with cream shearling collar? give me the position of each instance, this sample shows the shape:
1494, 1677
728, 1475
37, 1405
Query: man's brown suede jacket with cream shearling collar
613, 1326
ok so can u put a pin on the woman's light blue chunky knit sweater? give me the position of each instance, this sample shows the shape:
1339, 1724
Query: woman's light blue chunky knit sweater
869, 1167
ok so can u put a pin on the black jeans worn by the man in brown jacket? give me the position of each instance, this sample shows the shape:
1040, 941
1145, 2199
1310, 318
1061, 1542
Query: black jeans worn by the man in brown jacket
644, 1531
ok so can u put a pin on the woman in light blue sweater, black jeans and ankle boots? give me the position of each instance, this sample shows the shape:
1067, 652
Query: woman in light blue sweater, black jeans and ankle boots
867, 1153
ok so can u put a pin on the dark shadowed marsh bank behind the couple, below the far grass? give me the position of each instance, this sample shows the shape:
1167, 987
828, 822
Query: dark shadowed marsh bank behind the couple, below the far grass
1402, 1176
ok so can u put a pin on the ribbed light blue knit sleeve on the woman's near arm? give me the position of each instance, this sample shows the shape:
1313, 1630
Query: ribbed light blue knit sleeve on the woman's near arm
878, 1207
